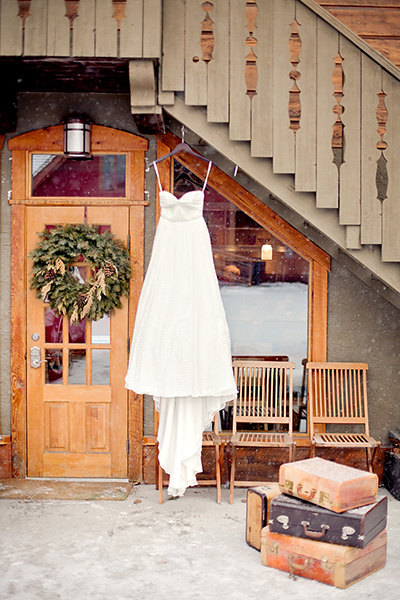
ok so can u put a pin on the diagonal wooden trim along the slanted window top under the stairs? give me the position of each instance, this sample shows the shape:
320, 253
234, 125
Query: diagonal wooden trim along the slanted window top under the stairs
251, 205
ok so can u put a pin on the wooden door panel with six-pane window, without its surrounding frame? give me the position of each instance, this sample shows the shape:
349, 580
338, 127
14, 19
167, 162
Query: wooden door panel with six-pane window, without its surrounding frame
76, 399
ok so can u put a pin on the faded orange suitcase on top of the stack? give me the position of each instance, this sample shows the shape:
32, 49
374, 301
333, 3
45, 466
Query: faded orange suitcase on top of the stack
328, 484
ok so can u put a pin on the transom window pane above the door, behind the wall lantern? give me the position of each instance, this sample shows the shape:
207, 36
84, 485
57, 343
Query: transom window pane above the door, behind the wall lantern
101, 176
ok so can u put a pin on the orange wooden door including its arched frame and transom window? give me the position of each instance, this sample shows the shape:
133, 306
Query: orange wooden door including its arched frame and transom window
71, 414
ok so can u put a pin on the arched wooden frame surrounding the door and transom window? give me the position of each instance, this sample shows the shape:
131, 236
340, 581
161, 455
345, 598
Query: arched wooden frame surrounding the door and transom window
104, 139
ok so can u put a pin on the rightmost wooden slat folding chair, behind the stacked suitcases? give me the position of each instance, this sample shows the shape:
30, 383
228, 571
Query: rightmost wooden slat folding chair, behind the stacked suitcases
338, 396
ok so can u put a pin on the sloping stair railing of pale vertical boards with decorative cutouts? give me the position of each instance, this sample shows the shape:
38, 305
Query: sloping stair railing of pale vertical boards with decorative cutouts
304, 91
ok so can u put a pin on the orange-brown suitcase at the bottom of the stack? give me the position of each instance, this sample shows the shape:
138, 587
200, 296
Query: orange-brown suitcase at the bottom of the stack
340, 566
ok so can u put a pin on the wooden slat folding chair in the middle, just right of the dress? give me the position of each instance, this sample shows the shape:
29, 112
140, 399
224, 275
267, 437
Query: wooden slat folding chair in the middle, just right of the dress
265, 398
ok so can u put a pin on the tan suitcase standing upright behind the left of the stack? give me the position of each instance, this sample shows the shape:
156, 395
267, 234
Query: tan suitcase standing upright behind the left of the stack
257, 511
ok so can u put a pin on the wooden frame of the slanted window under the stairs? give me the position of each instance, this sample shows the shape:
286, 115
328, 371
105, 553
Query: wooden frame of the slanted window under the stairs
318, 259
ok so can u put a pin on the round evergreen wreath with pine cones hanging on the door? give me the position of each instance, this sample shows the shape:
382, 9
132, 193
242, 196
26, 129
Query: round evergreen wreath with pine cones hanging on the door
108, 261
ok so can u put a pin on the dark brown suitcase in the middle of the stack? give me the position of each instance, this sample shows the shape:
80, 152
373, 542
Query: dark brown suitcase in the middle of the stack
356, 527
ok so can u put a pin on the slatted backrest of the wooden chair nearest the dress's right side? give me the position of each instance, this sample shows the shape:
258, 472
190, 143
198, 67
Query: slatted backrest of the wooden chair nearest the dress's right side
265, 392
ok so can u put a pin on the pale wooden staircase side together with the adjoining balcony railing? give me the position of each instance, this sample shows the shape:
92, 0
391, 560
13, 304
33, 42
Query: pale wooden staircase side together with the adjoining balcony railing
281, 88
